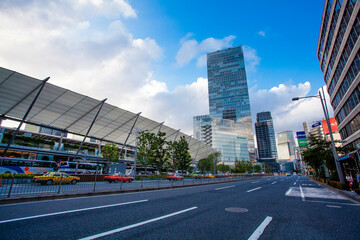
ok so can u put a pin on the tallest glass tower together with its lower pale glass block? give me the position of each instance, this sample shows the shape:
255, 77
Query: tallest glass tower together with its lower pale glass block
228, 127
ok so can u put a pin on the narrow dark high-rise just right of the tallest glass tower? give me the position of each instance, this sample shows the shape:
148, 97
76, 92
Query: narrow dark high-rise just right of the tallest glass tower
265, 136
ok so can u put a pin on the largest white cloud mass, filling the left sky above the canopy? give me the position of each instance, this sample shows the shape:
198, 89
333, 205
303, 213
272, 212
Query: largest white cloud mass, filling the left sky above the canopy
63, 40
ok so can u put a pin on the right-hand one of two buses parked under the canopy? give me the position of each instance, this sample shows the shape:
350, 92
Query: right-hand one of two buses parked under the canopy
82, 168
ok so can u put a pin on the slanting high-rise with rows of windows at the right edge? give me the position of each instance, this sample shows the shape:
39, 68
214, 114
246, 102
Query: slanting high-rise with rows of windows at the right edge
338, 52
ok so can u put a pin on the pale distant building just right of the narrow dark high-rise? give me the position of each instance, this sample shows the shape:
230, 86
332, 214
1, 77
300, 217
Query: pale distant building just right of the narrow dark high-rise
286, 146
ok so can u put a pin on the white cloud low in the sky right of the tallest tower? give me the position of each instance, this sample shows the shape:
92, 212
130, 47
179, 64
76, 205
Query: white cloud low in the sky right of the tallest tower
287, 114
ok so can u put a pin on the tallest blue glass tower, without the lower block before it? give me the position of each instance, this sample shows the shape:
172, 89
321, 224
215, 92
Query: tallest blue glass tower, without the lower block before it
228, 90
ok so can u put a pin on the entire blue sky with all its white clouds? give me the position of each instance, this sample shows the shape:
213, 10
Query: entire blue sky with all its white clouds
150, 56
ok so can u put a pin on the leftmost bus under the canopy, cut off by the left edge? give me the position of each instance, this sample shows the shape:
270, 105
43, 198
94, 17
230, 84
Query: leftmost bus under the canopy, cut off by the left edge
27, 166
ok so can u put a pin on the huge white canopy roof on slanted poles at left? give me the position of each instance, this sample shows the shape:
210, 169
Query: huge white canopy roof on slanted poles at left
69, 111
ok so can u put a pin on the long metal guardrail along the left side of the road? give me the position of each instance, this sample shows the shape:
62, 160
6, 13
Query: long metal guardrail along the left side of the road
26, 187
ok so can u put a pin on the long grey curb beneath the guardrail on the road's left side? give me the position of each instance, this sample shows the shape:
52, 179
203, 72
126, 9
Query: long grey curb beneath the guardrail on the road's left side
32, 198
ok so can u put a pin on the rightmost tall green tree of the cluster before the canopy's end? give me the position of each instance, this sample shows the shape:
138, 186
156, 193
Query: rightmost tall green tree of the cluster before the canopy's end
180, 153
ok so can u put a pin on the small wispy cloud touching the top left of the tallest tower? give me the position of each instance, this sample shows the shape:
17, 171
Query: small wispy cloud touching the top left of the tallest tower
191, 49
